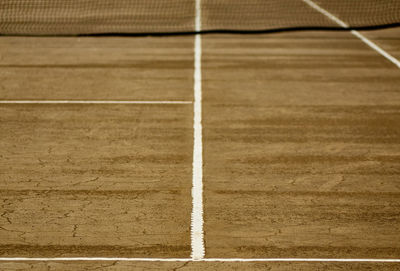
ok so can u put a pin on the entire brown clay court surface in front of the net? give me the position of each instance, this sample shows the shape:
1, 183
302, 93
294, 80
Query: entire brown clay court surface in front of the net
301, 150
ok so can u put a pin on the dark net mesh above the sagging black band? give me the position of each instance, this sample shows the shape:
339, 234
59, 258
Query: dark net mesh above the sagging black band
72, 17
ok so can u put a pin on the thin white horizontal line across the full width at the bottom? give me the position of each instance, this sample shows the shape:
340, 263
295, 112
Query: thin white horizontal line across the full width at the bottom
202, 260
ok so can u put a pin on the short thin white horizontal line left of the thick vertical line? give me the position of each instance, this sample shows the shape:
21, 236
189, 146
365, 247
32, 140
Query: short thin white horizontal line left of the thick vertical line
89, 102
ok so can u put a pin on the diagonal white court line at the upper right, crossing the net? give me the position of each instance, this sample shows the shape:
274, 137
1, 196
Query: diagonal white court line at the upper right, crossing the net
354, 32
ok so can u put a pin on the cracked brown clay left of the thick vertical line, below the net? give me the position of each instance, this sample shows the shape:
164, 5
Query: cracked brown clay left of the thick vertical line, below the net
96, 179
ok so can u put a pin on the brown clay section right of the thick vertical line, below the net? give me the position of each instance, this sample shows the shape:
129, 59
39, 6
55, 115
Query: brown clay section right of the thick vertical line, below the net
302, 134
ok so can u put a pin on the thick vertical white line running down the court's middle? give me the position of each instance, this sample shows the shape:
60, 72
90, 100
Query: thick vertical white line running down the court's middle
197, 234
